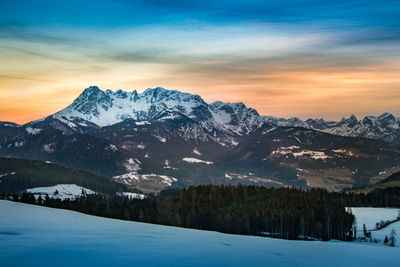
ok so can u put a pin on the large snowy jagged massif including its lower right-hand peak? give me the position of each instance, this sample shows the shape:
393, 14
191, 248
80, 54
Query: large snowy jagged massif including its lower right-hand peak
96, 108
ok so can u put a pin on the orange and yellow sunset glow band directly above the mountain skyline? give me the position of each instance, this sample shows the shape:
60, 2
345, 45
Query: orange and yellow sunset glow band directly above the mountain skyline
300, 94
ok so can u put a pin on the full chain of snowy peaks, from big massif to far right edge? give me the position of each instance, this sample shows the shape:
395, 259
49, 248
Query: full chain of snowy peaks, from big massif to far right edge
223, 122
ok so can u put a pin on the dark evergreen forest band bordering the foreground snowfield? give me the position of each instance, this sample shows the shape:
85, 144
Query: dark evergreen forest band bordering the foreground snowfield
284, 212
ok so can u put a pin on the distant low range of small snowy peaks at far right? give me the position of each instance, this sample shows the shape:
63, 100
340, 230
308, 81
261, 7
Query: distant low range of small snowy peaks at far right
384, 127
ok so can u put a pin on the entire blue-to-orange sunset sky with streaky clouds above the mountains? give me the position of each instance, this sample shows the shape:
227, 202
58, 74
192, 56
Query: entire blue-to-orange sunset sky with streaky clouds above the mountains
299, 58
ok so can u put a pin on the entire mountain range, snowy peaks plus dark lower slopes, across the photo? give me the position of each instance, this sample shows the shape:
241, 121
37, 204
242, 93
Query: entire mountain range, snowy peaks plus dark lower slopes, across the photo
161, 137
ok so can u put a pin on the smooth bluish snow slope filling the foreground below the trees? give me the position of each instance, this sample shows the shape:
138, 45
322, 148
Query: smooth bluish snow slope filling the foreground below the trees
33, 236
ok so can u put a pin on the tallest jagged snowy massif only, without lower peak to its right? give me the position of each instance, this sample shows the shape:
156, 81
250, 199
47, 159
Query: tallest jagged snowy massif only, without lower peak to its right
105, 108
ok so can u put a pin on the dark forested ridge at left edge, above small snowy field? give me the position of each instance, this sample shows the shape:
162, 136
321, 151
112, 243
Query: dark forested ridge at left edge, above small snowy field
20, 174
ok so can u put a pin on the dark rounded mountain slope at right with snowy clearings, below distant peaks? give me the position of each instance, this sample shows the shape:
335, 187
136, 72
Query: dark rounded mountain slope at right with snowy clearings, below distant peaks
320, 159
